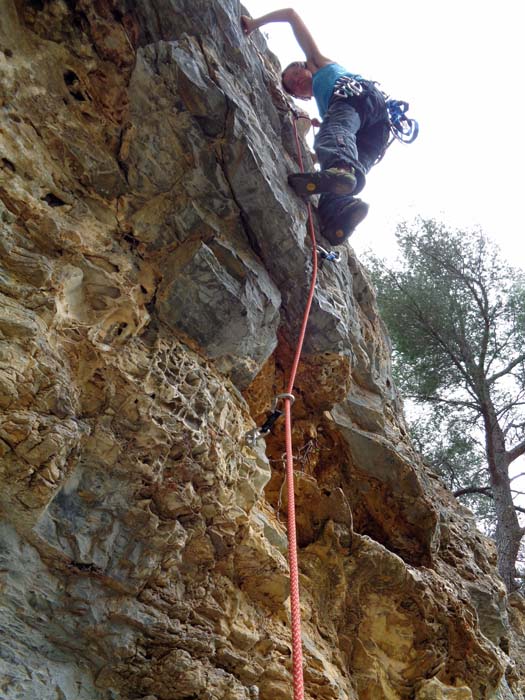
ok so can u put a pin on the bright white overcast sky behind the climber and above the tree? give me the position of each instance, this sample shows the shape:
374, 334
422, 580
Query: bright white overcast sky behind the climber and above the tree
460, 65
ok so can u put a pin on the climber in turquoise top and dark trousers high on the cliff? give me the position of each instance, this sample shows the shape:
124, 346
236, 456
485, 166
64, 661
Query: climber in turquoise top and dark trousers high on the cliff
353, 135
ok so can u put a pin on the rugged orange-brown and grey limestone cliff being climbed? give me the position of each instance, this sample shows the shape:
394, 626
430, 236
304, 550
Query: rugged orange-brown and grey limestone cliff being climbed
154, 271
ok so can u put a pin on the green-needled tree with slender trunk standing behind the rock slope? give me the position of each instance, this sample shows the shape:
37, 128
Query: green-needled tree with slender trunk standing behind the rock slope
456, 315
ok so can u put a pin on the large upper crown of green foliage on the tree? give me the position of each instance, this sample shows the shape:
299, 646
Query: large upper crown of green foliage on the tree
456, 314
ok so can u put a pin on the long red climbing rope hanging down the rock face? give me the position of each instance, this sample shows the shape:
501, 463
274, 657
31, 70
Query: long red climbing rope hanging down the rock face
297, 658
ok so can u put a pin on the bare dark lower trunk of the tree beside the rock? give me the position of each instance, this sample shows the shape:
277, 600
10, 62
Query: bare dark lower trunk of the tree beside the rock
508, 529
